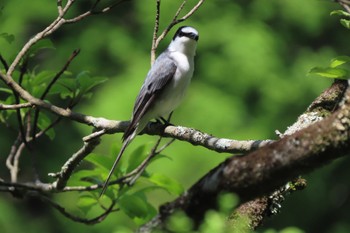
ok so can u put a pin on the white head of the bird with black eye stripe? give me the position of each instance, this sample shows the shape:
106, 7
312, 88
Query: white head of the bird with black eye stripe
185, 40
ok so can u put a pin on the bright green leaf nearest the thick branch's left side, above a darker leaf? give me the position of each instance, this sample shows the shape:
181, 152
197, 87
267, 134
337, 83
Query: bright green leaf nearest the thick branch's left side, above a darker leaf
169, 184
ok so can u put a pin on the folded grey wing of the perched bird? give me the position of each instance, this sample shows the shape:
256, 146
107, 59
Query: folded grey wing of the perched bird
157, 78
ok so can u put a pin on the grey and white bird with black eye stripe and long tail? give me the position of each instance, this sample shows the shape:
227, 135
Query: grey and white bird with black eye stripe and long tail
163, 88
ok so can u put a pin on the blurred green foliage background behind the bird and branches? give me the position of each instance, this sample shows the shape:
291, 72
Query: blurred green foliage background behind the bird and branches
250, 79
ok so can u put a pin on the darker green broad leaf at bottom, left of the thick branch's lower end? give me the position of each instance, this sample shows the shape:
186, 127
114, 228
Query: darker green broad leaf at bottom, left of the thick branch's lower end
137, 207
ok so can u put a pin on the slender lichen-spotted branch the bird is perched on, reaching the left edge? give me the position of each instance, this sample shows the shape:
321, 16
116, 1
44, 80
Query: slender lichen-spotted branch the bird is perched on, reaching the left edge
181, 133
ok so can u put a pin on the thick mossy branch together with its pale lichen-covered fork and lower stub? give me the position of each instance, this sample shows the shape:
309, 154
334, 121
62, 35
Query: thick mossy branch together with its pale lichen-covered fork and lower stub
261, 172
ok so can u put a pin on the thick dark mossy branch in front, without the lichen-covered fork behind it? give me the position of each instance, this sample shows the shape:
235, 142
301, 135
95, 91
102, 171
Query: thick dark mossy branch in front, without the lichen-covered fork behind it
264, 170
